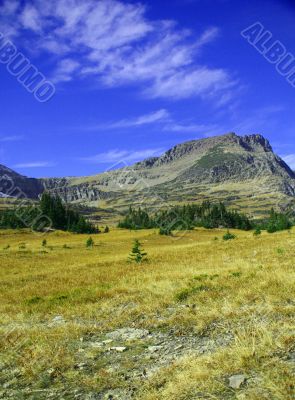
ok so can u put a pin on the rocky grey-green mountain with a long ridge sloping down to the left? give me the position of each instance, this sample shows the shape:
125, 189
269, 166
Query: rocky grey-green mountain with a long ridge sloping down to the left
230, 168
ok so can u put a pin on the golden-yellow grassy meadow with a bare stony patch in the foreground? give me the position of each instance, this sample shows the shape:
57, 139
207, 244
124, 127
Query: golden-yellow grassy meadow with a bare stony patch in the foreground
74, 321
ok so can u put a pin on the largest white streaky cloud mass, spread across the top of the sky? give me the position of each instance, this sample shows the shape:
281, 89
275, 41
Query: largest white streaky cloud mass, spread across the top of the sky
116, 44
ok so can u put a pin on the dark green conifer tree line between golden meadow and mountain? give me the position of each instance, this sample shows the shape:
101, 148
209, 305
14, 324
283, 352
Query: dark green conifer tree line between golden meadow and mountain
185, 217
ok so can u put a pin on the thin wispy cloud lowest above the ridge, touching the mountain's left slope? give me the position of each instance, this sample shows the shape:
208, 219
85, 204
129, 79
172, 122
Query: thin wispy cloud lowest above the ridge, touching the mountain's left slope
124, 156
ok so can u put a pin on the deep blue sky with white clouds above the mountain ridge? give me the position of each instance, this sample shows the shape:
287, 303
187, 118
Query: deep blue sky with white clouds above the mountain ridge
134, 78
